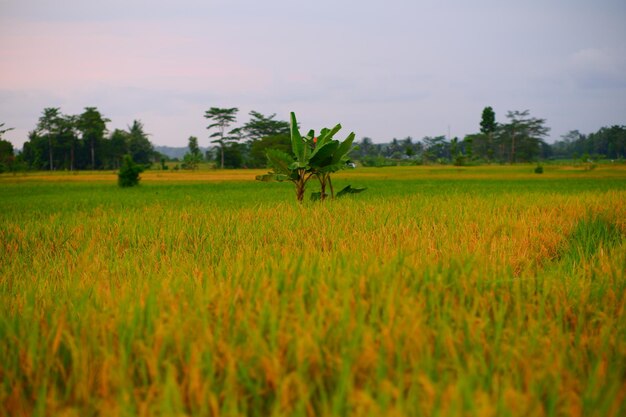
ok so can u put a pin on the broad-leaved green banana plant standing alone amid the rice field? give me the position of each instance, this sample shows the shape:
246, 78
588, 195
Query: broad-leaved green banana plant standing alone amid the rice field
317, 156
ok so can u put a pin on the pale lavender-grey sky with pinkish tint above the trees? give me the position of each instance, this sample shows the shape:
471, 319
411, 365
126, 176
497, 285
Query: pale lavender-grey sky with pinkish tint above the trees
382, 69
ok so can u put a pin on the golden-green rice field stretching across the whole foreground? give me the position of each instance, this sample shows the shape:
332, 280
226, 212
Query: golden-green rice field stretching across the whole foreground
440, 291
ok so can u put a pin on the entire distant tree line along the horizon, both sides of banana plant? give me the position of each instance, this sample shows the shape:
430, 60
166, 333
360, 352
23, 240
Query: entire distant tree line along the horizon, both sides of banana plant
80, 142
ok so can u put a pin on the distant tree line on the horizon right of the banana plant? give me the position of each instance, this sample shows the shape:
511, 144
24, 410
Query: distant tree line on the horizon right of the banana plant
520, 138
